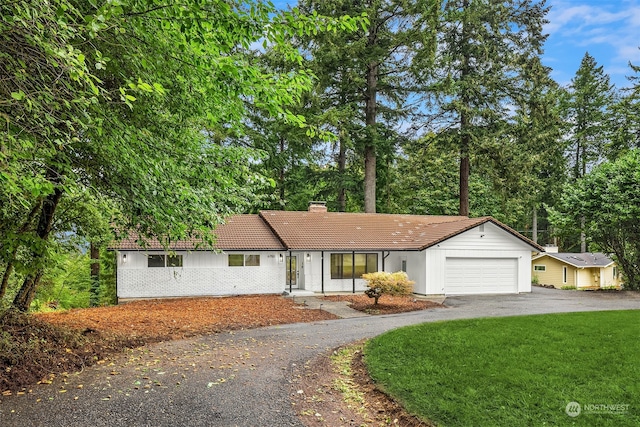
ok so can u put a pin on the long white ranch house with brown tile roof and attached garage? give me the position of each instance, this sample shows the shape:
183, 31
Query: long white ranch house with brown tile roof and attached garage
319, 251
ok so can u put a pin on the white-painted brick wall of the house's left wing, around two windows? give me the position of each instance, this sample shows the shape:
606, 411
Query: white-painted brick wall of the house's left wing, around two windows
202, 274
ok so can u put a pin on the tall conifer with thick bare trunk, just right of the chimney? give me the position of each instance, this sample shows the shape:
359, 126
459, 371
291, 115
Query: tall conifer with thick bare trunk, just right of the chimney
364, 76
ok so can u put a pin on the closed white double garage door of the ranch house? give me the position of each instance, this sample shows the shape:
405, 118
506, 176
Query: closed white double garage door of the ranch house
481, 276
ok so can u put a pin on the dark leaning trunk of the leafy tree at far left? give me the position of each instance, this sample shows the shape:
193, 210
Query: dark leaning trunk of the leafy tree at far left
25, 295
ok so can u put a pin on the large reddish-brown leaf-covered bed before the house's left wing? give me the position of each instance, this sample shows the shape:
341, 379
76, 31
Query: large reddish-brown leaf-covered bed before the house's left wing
36, 347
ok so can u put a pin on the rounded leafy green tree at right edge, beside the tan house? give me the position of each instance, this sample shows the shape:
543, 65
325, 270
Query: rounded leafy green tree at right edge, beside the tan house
605, 205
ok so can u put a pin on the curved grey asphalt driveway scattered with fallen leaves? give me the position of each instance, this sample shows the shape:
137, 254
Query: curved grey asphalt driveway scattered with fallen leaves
244, 378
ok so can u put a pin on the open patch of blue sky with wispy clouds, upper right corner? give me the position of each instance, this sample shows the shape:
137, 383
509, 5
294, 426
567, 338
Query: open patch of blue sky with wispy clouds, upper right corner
608, 29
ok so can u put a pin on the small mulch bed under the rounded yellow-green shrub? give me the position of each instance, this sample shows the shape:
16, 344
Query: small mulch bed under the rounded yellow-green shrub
386, 304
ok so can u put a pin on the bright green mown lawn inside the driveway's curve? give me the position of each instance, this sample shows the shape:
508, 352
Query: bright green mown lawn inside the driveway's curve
514, 371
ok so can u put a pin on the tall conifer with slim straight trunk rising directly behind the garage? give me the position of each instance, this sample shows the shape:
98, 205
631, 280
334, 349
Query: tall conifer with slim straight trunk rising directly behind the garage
478, 67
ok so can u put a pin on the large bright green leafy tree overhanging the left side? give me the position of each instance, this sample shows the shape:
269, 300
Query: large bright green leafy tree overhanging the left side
134, 124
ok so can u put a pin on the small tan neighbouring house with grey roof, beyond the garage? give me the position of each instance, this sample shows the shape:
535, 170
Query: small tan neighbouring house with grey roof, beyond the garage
579, 270
